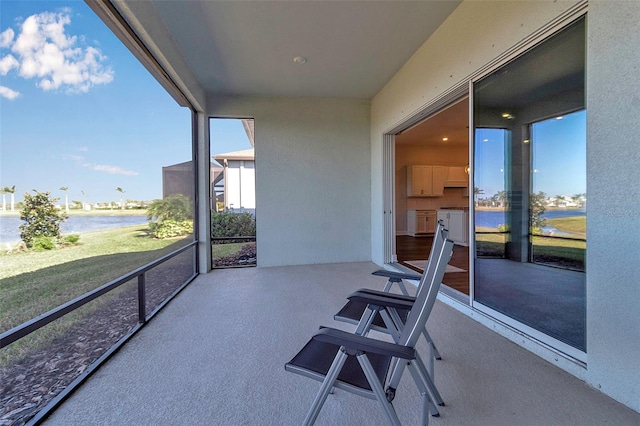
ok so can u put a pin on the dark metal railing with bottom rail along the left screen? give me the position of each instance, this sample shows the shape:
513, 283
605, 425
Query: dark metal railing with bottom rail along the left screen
37, 323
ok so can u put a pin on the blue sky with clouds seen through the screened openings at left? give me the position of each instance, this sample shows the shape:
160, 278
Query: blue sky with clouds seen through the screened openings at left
78, 110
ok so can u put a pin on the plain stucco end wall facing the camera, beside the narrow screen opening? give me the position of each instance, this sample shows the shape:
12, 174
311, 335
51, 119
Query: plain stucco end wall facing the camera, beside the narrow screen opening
312, 177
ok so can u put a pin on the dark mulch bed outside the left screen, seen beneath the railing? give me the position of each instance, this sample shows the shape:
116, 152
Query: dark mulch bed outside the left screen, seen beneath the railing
28, 385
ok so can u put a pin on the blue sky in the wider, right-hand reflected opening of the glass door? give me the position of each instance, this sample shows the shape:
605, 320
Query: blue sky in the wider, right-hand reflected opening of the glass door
560, 155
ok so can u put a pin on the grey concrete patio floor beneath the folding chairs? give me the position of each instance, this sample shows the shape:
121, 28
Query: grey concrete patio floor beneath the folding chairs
216, 354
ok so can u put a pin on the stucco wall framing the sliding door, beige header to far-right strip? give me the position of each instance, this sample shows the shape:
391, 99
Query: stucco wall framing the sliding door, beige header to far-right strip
476, 34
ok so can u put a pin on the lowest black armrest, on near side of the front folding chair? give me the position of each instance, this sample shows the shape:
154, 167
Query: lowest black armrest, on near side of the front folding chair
353, 342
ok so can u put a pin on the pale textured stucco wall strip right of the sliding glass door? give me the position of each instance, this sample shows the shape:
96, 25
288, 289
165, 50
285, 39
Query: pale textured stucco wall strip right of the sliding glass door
613, 191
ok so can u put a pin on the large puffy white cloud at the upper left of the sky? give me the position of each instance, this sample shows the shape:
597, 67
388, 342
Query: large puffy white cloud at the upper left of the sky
45, 52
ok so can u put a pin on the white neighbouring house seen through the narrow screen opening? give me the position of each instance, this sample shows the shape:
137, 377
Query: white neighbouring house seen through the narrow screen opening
239, 179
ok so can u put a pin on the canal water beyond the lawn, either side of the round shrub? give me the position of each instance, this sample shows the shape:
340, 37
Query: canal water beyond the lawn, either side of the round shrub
9, 231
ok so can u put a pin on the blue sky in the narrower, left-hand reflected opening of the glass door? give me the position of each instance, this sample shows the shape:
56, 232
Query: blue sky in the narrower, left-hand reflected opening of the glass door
489, 161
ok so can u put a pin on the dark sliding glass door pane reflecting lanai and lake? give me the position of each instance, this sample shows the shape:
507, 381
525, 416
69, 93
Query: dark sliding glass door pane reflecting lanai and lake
530, 191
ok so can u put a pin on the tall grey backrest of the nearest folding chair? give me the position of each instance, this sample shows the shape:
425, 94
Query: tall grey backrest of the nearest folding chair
429, 286
